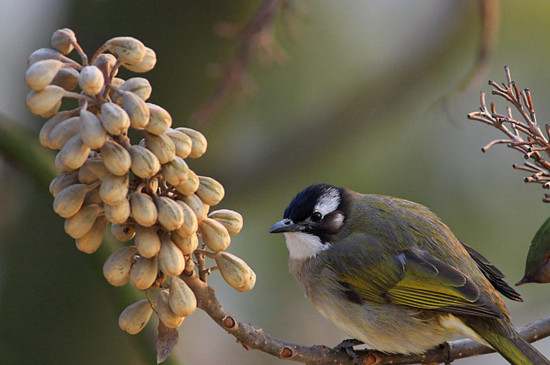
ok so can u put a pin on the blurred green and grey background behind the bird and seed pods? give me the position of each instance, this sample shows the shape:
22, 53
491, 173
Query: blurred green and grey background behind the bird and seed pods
355, 100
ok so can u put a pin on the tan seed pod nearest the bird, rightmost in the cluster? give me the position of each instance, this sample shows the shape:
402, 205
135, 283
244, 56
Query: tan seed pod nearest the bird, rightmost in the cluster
235, 271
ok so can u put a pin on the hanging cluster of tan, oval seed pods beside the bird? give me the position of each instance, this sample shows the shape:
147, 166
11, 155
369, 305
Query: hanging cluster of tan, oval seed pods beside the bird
145, 191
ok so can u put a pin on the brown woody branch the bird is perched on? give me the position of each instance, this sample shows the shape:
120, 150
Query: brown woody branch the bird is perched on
251, 337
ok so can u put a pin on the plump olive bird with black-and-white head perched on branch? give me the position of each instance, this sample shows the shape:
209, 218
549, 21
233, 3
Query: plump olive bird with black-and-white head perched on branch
392, 275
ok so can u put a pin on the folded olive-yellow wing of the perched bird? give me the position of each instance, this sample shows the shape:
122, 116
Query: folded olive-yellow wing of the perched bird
416, 280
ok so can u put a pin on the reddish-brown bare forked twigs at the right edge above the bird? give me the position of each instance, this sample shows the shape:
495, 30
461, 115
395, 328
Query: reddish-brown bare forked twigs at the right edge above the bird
524, 135
